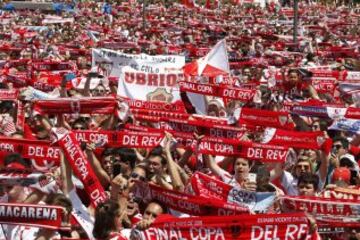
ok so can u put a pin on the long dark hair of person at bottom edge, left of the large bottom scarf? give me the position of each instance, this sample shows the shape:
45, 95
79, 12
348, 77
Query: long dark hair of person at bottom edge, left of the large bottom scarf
105, 214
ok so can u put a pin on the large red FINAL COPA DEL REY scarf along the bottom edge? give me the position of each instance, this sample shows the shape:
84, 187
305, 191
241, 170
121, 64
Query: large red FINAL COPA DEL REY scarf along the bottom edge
243, 227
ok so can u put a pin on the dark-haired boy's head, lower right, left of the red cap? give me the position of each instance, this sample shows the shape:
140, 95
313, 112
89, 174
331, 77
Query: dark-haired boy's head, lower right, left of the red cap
308, 184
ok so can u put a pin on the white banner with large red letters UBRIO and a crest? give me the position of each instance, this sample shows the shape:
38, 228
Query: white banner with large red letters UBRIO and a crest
149, 86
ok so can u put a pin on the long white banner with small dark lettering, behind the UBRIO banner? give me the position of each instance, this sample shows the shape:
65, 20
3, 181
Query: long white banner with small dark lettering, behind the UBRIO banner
115, 60
